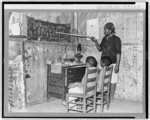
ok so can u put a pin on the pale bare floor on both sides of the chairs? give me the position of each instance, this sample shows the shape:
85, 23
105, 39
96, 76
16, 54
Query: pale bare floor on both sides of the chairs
116, 106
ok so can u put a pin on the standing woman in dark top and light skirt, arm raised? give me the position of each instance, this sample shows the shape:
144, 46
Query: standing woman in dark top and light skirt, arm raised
111, 47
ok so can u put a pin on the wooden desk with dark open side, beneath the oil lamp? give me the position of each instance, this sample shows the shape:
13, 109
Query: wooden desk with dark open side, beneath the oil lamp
57, 83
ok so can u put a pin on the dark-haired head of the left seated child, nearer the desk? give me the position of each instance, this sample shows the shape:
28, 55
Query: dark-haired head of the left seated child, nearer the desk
91, 62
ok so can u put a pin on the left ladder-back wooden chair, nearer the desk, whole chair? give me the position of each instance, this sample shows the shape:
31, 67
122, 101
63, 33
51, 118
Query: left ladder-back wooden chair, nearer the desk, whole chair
86, 101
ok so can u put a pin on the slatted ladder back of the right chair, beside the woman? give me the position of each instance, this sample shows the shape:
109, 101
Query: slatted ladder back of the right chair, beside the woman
106, 78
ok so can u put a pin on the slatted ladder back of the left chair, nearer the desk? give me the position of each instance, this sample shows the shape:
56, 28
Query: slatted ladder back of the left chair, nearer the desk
90, 81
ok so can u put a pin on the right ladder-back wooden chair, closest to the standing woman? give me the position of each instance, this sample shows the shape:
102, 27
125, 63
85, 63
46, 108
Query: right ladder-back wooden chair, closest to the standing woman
103, 96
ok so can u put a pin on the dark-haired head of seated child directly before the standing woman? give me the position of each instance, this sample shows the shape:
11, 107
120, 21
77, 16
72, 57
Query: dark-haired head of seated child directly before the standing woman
106, 61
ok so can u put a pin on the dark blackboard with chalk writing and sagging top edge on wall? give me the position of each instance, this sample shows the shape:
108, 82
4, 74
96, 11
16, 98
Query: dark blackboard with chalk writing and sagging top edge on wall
45, 31
